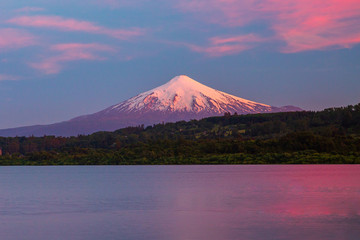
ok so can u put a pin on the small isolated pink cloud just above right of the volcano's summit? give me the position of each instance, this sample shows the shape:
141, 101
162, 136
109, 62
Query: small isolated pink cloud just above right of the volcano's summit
222, 46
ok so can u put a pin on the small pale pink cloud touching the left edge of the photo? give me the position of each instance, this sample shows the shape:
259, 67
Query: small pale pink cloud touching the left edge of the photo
14, 39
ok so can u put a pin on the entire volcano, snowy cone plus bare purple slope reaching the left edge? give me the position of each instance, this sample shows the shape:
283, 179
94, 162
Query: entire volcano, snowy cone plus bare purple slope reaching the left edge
182, 98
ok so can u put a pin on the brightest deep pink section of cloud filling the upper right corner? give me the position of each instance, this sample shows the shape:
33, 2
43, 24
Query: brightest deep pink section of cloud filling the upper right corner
311, 25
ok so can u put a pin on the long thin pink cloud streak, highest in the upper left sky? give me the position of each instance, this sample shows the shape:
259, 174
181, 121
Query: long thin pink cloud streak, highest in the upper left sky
69, 24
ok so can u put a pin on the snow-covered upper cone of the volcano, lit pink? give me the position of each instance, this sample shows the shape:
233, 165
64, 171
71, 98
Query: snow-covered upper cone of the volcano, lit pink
184, 94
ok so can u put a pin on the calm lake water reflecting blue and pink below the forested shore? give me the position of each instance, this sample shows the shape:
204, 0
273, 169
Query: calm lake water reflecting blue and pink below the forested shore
180, 202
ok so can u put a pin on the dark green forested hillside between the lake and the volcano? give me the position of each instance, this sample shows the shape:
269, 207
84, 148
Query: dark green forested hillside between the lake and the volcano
331, 136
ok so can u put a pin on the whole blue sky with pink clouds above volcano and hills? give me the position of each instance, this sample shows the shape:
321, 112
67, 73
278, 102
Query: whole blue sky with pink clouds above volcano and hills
62, 59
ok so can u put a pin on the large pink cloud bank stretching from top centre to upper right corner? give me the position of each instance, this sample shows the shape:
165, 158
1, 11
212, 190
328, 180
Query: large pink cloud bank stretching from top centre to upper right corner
301, 25
